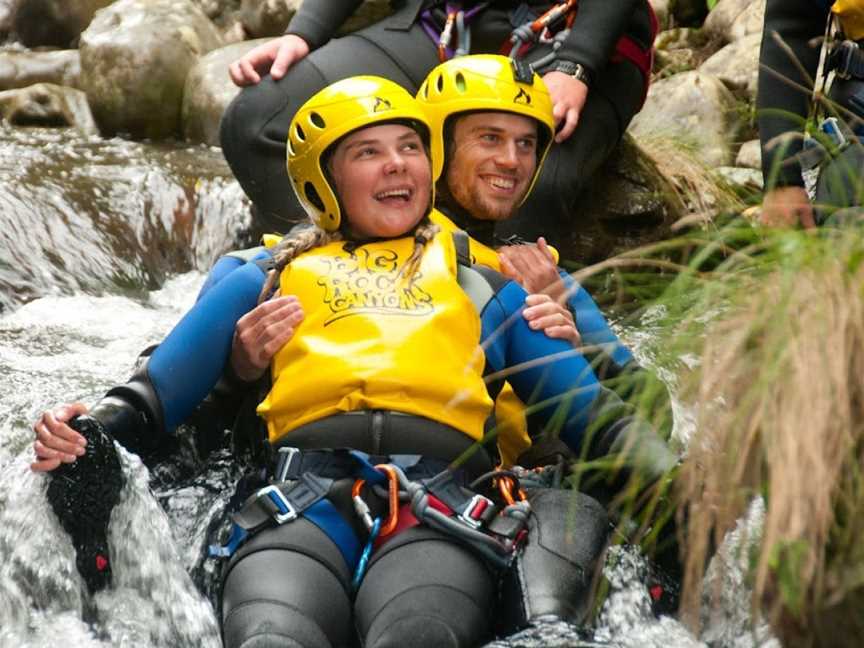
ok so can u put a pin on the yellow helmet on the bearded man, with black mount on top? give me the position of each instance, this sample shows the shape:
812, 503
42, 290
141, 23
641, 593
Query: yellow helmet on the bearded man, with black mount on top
485, 82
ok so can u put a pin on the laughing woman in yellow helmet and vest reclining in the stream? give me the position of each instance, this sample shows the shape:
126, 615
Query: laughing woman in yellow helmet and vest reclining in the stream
389, 306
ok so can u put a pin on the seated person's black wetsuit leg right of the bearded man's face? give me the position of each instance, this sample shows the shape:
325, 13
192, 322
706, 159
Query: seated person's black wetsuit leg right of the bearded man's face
552, 208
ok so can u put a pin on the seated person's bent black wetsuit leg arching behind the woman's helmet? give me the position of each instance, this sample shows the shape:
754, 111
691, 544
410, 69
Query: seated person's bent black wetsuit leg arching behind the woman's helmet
254, 126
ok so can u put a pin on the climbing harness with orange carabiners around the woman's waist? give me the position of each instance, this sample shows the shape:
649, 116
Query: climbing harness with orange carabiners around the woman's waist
440, 502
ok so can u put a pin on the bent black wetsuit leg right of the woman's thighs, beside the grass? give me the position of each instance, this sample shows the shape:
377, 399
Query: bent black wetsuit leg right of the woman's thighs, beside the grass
553, 576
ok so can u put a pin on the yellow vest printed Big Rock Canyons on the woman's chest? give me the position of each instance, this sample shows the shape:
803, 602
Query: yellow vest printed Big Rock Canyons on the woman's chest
374, 339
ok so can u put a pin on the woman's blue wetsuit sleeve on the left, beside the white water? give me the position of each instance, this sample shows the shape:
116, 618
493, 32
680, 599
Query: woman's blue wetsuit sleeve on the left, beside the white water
189, 362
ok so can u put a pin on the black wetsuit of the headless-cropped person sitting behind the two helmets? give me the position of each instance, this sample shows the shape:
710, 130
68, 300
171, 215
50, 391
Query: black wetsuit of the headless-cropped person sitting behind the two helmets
254, 125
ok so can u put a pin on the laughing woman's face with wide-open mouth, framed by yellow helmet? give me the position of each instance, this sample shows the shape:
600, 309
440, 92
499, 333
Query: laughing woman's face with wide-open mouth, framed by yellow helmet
383, 179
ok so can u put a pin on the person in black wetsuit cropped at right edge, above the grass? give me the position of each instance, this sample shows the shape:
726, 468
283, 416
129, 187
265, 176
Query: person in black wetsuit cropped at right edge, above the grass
789, 60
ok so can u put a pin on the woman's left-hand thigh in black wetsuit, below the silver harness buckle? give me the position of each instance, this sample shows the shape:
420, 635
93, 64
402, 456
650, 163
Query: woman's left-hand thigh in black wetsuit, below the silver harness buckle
287, 587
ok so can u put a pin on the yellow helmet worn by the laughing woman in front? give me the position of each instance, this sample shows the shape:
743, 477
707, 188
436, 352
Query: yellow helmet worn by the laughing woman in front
332, 113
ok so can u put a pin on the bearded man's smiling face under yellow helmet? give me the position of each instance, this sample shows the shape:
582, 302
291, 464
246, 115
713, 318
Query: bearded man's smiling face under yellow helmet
492, 159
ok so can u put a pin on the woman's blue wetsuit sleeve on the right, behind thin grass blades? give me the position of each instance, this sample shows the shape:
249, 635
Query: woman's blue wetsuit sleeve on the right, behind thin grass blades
548, 374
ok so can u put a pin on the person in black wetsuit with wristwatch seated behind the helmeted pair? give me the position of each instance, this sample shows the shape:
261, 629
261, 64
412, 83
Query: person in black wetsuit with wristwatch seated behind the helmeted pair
597, 81
